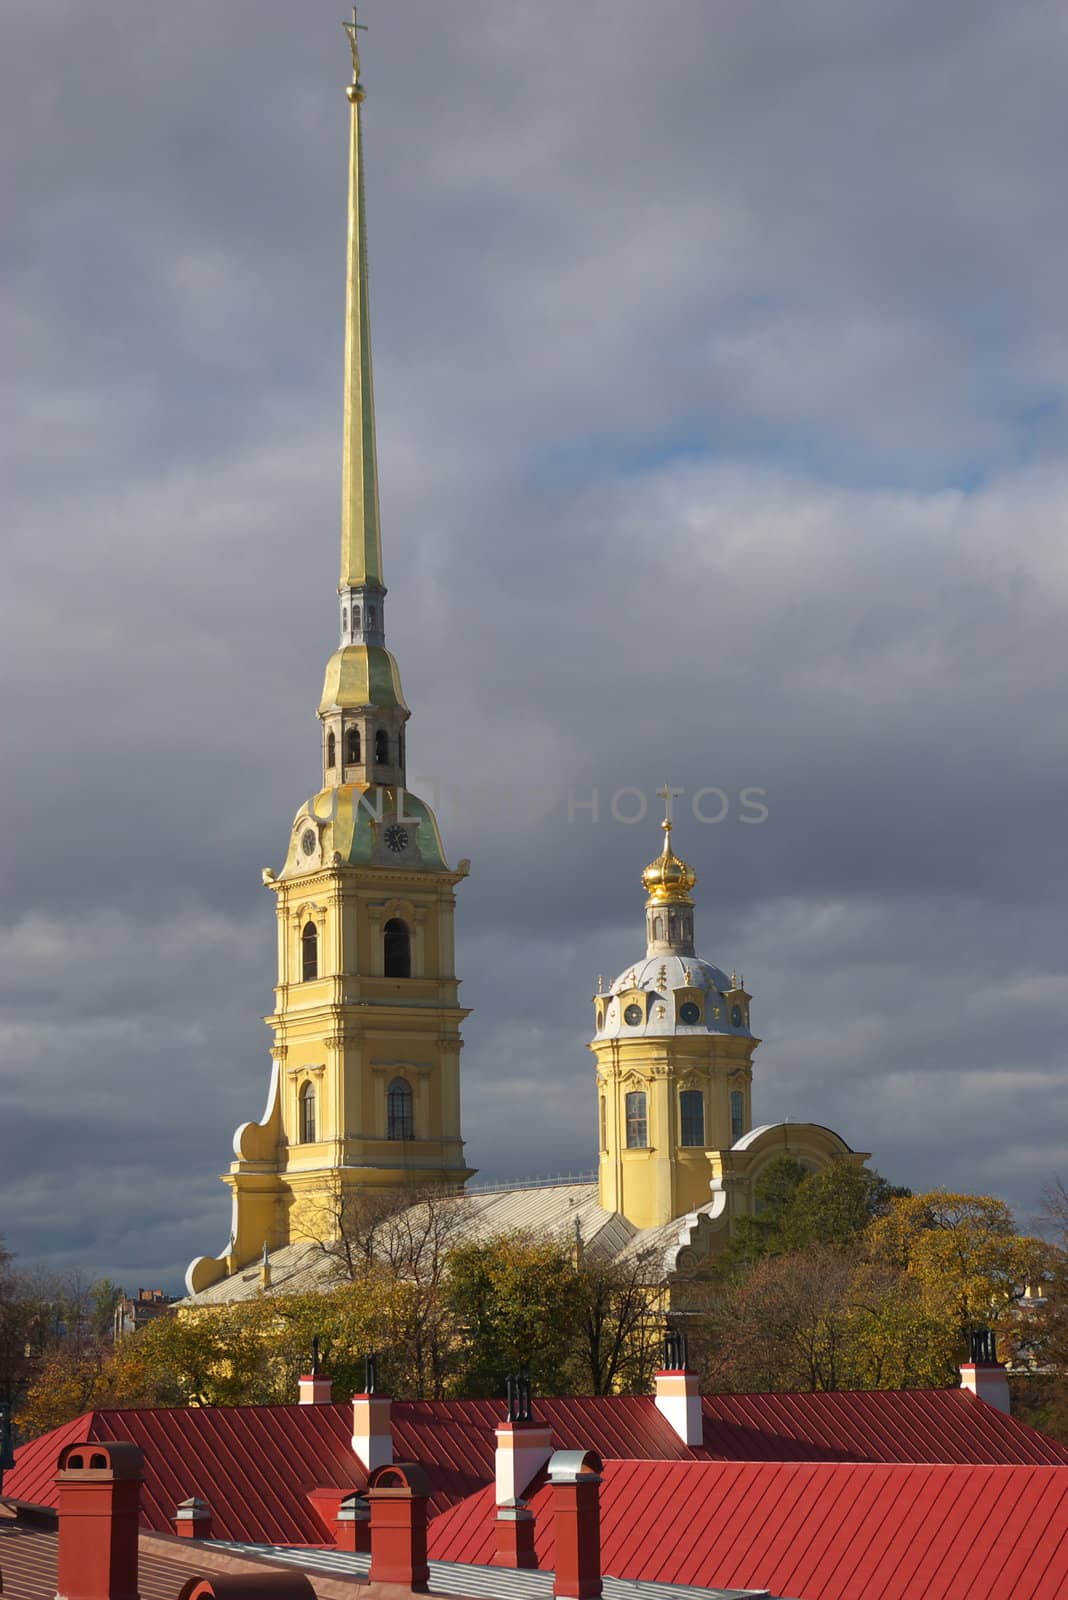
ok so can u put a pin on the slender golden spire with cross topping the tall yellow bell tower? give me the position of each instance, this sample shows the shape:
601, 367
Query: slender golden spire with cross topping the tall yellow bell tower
361, 537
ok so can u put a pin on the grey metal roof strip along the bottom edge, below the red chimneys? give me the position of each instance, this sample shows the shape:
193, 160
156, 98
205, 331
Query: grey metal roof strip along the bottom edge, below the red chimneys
495, 1583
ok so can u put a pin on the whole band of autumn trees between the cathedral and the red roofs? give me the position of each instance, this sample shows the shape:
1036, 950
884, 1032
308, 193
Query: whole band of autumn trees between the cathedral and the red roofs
839, 1282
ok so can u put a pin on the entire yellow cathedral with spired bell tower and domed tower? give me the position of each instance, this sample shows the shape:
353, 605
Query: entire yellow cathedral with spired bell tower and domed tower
365, 1090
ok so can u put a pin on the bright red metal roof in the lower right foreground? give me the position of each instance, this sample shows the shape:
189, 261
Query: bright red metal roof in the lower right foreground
813, 1530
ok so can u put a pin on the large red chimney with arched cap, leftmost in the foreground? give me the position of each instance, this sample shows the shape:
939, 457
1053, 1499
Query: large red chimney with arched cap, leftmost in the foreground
100, 1497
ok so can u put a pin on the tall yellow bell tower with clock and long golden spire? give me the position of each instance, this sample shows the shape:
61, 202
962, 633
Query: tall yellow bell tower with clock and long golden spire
367, 1023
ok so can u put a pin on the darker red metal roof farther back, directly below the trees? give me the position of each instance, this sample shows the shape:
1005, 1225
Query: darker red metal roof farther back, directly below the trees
258, 1466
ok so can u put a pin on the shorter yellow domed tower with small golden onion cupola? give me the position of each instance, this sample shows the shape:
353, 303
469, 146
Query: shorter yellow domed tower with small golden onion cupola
674, 1062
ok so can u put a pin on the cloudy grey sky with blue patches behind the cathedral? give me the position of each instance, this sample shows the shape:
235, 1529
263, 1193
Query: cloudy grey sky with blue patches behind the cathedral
722, 358
